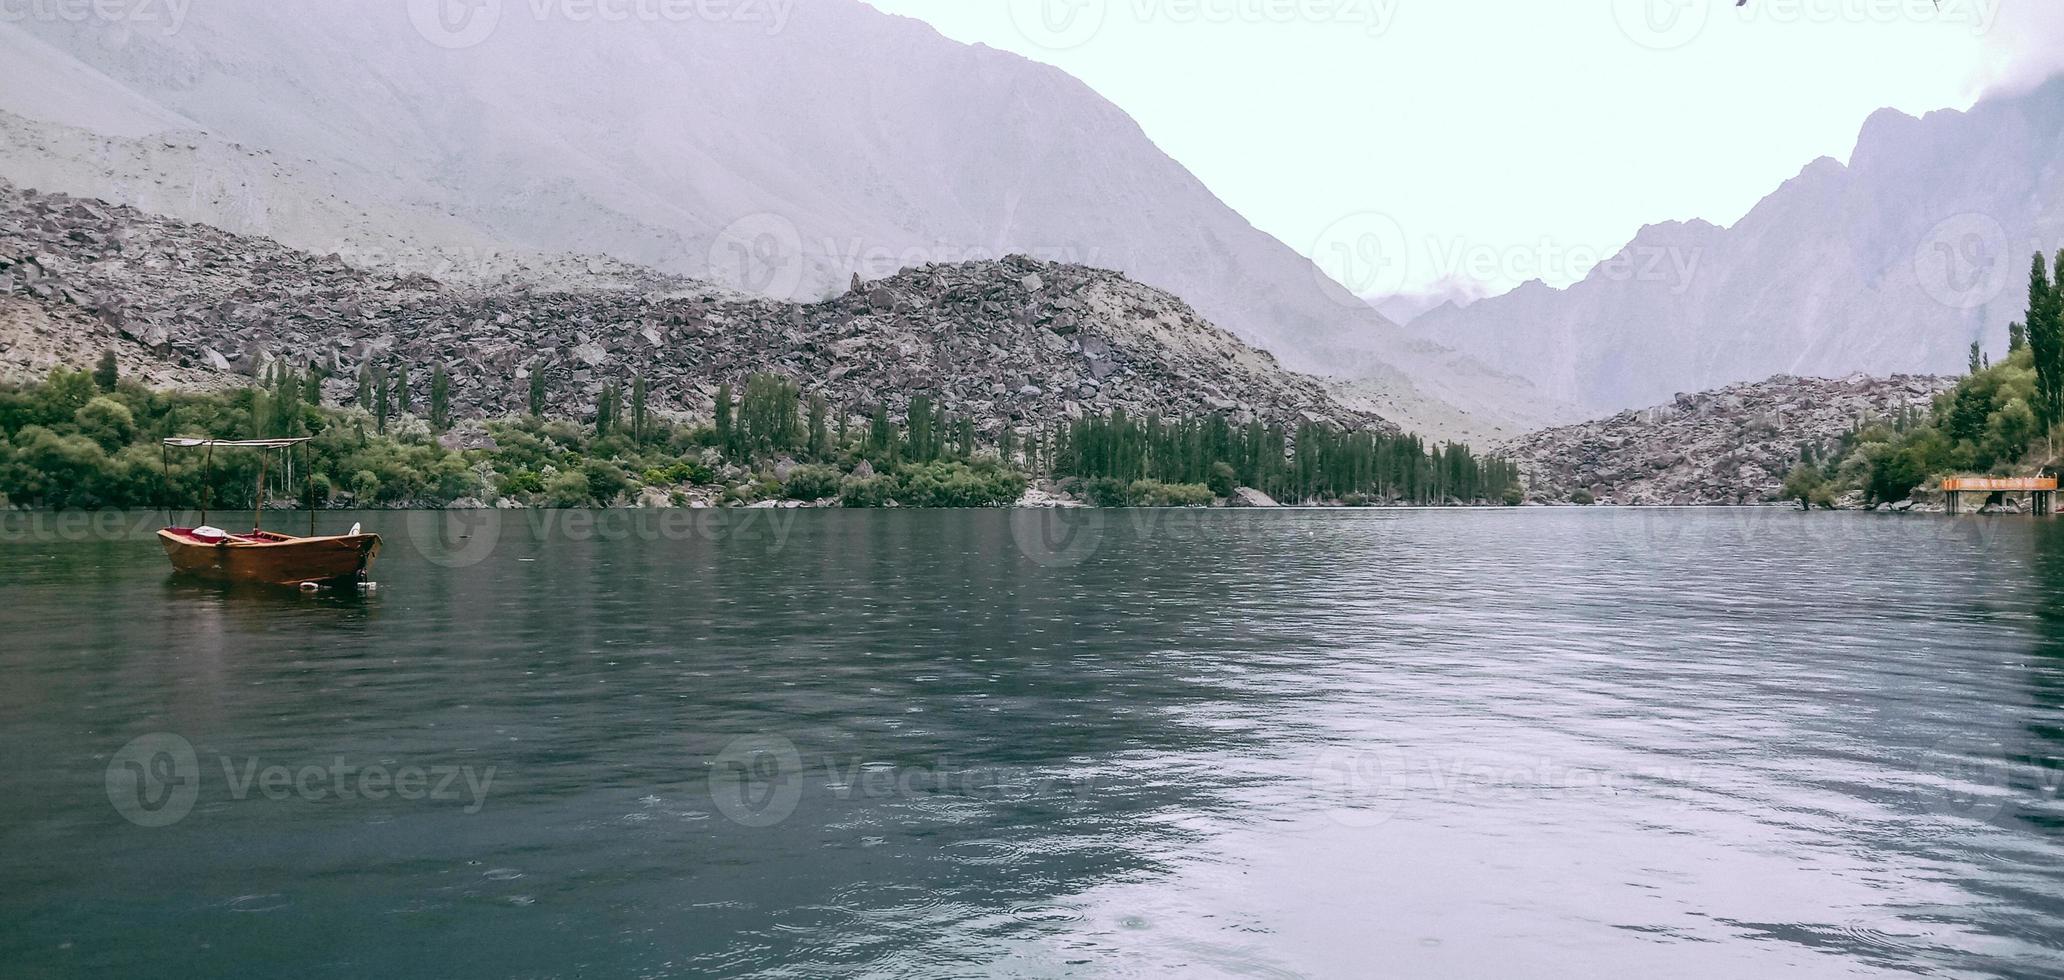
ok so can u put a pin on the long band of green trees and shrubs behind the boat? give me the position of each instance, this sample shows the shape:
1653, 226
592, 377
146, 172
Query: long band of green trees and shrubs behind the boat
92, 440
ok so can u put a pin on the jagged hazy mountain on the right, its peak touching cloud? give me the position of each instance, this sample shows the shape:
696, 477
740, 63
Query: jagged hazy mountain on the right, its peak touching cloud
1890, 263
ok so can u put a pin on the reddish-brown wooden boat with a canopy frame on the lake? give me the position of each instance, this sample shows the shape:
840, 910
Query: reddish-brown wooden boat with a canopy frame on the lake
265, 556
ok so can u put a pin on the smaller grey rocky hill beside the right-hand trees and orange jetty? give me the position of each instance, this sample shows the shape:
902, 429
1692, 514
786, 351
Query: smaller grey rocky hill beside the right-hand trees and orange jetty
1727, 447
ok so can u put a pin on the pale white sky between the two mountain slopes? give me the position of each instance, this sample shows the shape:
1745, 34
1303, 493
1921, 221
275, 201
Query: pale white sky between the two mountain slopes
1508, 139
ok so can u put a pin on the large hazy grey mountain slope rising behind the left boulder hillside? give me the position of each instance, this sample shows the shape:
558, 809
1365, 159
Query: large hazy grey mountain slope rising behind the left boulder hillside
773, 150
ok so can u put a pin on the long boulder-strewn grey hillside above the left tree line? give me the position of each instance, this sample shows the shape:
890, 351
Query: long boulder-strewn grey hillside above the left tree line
1014, 341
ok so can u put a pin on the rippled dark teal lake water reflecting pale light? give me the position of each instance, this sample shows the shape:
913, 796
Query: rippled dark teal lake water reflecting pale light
1163, 744
